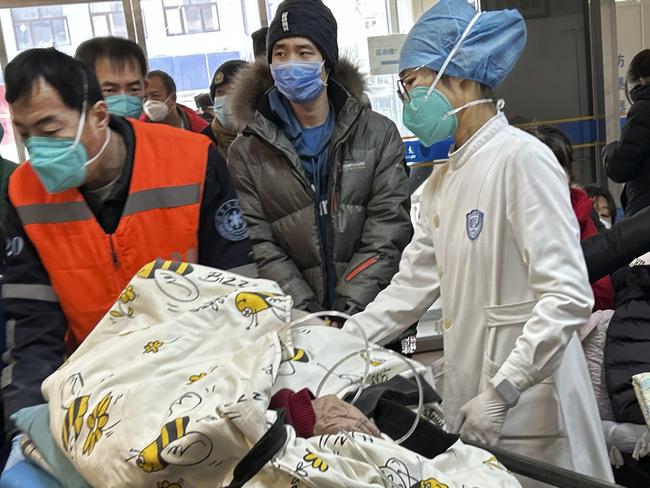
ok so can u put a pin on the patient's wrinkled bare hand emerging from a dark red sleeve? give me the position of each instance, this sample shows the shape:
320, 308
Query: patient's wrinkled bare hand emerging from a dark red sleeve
333, 415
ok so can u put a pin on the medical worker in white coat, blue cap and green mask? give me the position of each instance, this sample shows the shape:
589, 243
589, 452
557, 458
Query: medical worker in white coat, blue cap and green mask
497, 239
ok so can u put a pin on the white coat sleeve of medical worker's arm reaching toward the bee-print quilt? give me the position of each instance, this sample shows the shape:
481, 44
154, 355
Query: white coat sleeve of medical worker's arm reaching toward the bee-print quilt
409, 295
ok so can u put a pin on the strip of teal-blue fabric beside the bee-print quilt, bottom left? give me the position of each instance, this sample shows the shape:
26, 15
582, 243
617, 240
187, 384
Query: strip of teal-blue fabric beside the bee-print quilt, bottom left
35, 422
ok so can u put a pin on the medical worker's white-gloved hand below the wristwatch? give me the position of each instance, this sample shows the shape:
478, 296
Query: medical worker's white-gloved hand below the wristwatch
484, 416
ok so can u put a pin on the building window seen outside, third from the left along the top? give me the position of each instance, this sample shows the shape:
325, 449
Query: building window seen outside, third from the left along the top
184, 17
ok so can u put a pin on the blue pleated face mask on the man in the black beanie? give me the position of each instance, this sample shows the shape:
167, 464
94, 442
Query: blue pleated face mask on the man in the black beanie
299, 81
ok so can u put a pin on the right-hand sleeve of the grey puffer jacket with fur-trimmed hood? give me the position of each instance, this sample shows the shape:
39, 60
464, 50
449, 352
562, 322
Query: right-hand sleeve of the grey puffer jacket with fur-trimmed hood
386, 230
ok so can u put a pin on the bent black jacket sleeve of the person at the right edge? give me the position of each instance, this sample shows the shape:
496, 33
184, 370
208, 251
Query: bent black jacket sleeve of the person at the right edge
623, 159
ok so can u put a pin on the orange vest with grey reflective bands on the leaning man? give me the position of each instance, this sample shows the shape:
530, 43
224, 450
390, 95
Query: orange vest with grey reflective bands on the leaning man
88, 268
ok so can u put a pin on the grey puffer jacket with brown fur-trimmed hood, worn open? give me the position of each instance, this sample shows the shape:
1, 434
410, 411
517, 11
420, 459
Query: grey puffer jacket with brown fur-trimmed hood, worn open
368, 194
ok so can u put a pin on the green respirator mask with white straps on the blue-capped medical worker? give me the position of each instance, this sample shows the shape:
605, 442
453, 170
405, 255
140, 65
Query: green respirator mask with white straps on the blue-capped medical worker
428, 113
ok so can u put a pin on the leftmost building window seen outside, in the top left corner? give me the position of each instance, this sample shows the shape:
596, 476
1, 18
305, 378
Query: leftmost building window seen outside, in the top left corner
40, 27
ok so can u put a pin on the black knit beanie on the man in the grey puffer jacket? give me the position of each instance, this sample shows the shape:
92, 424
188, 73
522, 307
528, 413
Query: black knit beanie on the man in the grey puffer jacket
310, 19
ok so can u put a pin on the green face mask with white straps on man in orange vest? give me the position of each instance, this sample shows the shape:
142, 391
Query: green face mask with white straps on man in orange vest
61, 163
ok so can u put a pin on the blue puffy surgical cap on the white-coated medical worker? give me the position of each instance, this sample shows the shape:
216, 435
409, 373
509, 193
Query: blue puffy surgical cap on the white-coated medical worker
488, 53
